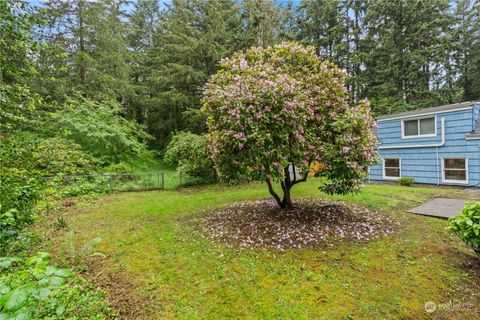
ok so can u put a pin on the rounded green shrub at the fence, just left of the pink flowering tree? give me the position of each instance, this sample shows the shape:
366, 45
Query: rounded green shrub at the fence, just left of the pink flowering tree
188, 151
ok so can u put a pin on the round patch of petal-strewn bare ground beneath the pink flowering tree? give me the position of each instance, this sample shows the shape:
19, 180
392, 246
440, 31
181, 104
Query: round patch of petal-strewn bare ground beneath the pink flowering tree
311, 223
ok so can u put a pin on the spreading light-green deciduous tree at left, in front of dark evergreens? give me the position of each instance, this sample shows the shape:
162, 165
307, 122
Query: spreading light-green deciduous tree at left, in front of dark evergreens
101, 130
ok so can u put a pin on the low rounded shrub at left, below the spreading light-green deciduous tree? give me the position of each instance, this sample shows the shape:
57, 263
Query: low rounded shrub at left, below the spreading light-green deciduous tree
58, 156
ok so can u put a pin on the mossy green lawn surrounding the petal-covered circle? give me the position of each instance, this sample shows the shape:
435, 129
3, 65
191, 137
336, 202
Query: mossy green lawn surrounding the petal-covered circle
156, 255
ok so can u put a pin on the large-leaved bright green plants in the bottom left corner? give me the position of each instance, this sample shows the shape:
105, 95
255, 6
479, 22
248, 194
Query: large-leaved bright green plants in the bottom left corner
34, 289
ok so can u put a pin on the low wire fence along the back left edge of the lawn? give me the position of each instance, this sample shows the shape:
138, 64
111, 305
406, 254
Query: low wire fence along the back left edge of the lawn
74, 185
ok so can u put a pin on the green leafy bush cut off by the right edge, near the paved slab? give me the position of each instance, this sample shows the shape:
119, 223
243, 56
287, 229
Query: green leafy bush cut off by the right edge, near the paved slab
467, 225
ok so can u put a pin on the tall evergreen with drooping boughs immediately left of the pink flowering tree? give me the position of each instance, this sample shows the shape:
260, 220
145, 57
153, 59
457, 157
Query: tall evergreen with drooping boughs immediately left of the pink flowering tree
192, 36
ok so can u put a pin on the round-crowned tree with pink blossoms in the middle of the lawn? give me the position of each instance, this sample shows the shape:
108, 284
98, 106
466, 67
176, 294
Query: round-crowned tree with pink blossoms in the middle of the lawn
272, 112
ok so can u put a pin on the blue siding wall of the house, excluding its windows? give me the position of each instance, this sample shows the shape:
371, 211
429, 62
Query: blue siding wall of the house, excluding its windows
425, 163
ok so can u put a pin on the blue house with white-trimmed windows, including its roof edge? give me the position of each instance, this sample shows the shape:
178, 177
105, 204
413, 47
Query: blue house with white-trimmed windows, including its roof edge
438, 145
